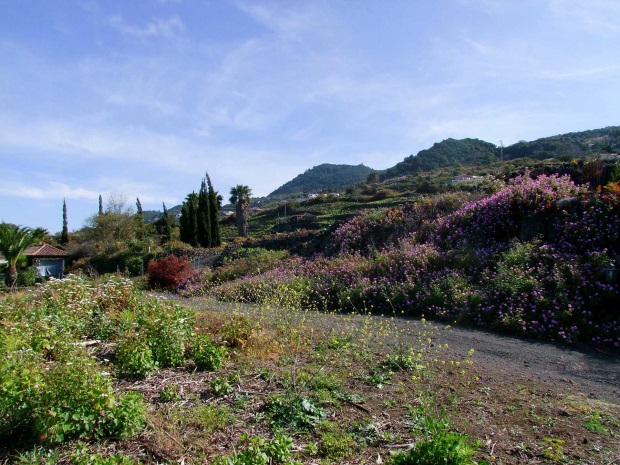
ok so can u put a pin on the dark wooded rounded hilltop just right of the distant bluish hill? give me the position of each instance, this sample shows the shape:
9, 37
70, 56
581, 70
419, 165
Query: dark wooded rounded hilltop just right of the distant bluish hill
450, 152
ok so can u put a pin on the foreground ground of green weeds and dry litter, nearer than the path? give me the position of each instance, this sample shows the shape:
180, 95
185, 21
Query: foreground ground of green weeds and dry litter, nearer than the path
259, 384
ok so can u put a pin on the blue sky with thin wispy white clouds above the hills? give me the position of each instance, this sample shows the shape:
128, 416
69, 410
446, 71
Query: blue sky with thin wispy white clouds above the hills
141, 98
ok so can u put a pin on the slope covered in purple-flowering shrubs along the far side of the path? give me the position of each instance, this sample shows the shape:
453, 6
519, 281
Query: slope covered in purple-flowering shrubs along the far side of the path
529, 259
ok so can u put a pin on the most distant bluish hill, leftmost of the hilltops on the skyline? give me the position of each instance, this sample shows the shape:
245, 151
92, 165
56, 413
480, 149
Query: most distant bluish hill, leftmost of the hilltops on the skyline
324, 177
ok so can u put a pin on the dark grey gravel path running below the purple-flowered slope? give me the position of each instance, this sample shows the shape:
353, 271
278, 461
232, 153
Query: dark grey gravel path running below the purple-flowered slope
498, 358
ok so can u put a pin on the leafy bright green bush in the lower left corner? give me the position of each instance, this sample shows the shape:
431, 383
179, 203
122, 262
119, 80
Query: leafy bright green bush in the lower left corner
65, 401
